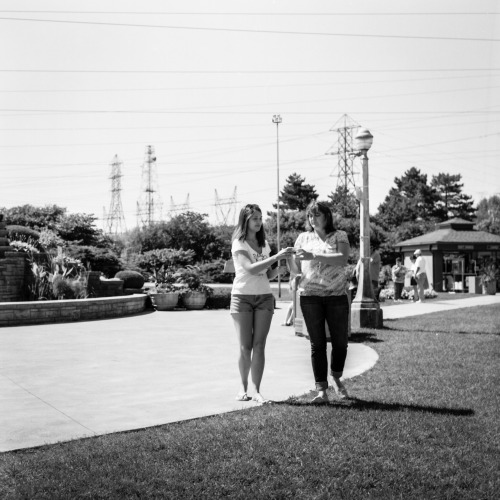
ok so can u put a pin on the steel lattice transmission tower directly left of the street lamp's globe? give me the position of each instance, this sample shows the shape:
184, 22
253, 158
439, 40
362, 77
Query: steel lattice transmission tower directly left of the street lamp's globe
345, 128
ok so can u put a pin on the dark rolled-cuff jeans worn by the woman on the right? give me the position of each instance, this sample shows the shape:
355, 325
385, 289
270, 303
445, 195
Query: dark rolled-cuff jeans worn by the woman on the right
335, 311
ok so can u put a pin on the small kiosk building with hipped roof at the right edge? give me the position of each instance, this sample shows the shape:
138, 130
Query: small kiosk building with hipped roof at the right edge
453, 253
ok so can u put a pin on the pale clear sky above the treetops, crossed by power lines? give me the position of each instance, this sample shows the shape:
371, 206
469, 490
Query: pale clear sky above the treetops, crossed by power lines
200, 82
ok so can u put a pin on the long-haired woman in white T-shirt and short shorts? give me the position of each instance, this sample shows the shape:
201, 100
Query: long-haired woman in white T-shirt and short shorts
252, 302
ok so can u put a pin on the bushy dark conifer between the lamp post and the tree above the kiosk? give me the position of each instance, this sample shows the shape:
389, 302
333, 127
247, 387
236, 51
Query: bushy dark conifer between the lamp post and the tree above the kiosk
411, 200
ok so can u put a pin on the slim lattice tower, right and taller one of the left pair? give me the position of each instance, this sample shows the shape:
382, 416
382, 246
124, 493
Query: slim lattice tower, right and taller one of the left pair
149, 204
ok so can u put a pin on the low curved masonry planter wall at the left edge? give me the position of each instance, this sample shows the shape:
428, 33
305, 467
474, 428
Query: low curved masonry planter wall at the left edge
61, 311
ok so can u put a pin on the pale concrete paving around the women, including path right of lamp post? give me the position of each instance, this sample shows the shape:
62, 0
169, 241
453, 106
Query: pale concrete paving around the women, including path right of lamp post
66, 381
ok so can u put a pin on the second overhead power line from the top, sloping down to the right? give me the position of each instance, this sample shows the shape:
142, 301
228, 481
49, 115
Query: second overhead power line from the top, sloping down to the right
239, 30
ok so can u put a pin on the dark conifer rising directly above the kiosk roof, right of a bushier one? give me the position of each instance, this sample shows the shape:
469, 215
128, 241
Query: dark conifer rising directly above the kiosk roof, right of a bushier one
452, 202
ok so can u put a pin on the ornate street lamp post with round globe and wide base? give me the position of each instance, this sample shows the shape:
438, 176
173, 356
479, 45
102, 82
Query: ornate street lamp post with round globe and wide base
365, 309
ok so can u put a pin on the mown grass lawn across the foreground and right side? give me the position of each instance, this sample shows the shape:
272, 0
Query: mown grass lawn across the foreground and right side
422, 424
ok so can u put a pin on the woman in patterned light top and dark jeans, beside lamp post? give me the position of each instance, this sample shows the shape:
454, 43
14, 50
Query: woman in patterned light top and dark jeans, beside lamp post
321, 258
